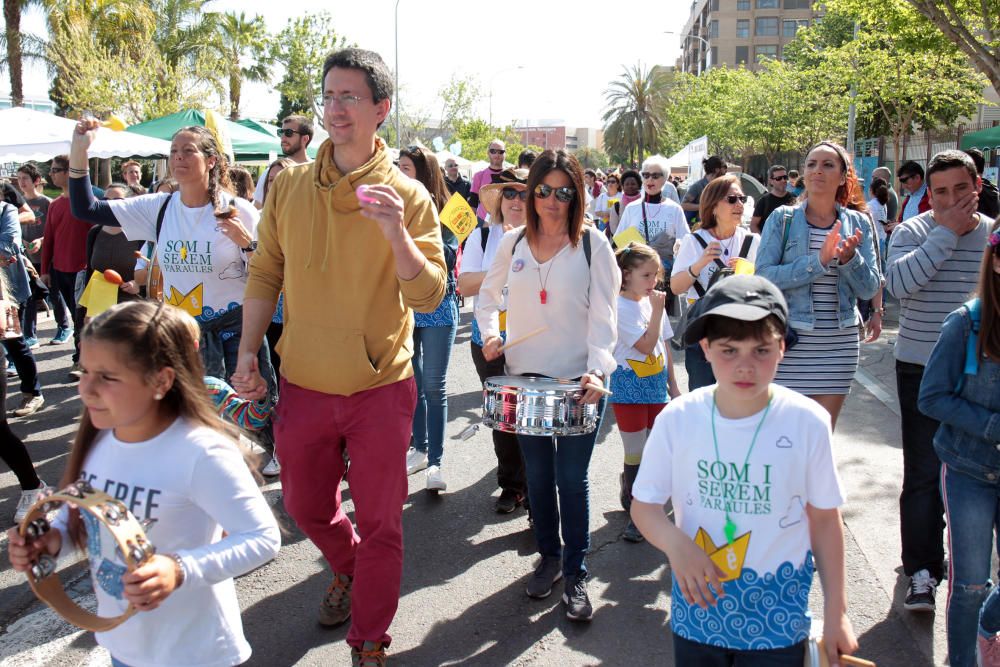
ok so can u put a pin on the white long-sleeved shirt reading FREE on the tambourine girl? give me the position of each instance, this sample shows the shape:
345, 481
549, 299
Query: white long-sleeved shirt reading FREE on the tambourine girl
194, 483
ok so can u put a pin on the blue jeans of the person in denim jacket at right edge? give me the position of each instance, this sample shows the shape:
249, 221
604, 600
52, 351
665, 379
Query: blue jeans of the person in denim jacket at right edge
973, 512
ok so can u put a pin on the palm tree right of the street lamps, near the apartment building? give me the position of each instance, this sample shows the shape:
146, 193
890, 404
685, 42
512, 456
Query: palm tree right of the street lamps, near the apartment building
635, 108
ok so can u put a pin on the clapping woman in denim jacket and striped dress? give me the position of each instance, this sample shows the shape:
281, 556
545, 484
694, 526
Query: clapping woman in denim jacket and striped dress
822, 256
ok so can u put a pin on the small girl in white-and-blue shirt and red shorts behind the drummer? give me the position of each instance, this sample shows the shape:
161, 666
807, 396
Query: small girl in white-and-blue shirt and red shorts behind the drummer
643, 382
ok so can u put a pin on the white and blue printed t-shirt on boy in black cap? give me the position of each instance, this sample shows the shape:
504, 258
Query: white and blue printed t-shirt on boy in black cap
791, 466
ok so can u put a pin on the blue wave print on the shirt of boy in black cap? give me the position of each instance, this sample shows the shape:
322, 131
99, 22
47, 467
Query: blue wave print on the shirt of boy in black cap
756, 613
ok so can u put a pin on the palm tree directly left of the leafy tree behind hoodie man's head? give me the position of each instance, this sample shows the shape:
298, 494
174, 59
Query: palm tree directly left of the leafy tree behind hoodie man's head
242, 39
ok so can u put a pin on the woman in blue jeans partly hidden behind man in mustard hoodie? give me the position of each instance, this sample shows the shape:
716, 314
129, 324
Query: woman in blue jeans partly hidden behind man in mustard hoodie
433, 337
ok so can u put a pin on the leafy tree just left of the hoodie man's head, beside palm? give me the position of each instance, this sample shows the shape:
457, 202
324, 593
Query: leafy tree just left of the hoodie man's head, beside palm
301, 47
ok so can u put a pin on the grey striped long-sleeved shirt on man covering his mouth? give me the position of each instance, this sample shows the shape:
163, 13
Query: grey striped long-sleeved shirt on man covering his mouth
932, 271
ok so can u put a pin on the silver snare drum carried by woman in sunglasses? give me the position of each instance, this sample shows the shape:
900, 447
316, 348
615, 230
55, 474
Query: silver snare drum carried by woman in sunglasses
536, 406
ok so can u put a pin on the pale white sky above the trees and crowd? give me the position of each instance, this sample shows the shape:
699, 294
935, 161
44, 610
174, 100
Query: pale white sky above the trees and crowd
568, 51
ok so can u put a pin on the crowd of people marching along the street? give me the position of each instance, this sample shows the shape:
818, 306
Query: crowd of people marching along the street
317, 311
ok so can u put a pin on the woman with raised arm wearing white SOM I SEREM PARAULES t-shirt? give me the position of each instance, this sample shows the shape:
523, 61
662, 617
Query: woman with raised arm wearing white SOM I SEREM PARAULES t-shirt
204, 238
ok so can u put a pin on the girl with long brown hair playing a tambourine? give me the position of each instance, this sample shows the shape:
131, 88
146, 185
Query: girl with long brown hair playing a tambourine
148, 433
